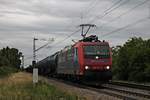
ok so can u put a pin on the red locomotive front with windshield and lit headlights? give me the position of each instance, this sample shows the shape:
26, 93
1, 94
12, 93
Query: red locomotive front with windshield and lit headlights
97, 61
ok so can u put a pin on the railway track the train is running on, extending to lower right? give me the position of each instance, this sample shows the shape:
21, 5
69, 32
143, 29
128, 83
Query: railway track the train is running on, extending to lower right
122, 92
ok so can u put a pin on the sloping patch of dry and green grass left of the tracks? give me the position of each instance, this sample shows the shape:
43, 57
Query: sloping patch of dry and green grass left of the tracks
20, 87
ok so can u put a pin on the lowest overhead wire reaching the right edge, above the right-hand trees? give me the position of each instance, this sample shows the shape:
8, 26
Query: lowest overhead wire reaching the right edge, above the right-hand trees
129, 25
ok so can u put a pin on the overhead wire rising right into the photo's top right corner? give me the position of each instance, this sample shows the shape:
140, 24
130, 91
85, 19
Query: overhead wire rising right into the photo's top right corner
128, 11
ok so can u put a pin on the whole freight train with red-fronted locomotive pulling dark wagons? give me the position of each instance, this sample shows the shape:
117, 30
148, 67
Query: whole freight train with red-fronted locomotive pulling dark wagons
88, 59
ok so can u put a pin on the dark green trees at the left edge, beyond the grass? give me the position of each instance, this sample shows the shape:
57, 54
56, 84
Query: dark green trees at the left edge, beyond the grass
9, 61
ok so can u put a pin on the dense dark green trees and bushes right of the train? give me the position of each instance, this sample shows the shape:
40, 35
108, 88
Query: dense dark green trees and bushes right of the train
131, 62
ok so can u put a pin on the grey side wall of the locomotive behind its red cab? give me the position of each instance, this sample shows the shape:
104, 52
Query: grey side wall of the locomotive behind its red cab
66, 63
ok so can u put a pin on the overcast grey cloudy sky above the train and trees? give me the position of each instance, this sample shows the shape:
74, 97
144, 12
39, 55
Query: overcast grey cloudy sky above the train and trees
116, 21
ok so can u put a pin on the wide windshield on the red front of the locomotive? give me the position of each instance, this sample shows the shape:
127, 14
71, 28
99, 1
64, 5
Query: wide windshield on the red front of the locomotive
102, 51
